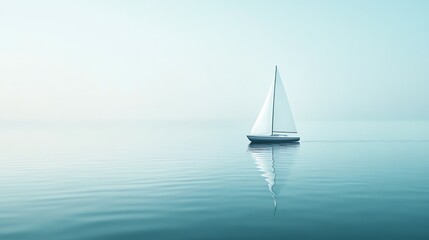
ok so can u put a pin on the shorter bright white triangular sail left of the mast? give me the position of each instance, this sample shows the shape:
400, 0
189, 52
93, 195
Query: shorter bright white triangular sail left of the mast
263, 124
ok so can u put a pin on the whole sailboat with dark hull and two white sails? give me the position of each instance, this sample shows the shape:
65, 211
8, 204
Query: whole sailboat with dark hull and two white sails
275, 121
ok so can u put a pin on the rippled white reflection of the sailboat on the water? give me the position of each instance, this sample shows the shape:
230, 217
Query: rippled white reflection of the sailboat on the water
267, 156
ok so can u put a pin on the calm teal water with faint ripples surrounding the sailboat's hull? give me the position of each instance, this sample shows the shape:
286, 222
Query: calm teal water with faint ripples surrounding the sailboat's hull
195, 180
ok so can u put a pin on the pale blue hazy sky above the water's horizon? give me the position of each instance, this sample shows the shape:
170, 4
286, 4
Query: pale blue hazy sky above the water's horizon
132, 60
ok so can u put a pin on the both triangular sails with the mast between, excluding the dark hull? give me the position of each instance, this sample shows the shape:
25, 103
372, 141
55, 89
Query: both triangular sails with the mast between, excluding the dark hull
275, 115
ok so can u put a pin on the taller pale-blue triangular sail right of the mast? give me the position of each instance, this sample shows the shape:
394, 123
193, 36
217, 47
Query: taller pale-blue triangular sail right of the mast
283, 120
